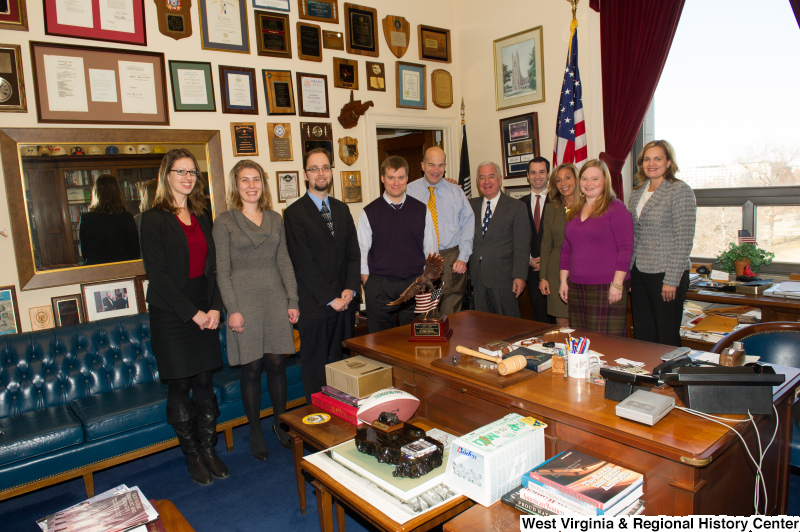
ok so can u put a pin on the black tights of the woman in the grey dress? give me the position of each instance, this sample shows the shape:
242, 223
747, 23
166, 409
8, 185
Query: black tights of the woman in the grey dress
251, 387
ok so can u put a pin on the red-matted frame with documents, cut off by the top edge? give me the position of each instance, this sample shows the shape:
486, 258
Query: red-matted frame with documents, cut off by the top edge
98, 20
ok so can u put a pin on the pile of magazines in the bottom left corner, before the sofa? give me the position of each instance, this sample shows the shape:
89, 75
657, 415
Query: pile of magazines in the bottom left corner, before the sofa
115, 510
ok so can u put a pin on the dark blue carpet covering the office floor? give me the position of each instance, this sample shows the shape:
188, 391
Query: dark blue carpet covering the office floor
257, 495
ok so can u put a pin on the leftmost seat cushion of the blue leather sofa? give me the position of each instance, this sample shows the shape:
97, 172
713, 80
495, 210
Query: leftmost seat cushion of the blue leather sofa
39, 432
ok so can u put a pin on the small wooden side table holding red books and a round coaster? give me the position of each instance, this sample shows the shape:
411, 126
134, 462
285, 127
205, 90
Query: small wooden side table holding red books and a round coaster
320, 437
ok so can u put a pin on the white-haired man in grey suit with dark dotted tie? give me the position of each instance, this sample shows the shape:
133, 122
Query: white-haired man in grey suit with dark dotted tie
500, 251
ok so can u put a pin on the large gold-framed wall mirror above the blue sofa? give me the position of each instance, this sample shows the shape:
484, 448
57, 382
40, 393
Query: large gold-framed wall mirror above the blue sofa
37, 188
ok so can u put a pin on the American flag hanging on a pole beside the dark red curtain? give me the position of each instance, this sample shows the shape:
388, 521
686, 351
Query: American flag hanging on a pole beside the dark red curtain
570, 144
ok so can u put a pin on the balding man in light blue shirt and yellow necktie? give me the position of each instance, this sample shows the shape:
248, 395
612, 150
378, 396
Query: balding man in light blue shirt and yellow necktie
454, 222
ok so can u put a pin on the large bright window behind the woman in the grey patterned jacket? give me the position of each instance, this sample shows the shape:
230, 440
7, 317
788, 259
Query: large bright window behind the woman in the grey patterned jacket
726, 101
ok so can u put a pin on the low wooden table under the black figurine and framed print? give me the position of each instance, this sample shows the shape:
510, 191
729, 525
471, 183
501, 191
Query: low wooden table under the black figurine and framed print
331, 493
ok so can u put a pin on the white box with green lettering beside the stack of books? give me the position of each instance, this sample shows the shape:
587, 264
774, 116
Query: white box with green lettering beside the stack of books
490, 461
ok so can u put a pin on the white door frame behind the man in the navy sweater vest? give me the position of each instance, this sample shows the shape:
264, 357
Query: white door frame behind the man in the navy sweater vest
449, 128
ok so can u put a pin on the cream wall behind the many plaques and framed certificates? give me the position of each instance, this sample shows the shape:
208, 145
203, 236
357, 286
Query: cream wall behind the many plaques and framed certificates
474, 25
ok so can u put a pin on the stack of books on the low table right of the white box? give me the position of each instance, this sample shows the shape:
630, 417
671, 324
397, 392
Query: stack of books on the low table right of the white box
573, 483
